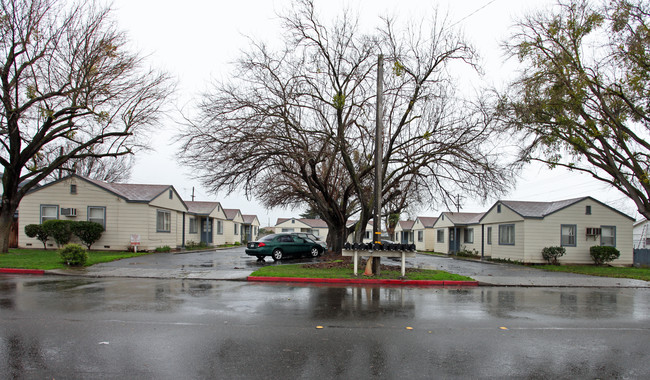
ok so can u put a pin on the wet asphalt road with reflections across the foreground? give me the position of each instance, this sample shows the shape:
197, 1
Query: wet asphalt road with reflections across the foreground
80, 327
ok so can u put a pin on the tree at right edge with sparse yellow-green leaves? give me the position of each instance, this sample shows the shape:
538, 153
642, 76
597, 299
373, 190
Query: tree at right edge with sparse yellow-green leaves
582, 98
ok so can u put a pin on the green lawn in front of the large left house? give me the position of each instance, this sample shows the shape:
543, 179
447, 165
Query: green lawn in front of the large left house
50, 259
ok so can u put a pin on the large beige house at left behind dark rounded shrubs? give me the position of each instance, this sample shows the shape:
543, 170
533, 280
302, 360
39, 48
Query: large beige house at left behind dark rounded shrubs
149, 216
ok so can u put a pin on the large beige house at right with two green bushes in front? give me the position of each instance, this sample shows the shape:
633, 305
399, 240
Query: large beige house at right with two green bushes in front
518, 231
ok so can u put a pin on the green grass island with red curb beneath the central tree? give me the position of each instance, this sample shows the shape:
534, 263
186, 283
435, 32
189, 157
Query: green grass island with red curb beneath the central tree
346, 271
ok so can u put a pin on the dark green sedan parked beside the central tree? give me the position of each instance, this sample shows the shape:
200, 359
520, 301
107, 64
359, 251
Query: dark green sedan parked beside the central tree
279, 246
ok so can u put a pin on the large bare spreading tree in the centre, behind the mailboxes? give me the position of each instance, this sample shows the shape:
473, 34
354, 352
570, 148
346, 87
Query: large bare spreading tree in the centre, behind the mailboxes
295, 126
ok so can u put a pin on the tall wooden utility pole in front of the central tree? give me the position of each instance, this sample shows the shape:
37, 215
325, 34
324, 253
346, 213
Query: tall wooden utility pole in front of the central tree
379, 153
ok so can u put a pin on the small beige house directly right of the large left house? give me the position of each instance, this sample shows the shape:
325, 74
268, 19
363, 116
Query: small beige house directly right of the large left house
205, 223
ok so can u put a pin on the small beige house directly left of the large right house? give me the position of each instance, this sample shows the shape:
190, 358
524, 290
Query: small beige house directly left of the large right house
457, 231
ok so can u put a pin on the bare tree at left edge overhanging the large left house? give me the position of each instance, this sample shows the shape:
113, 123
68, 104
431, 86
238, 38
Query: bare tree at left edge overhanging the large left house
69, 84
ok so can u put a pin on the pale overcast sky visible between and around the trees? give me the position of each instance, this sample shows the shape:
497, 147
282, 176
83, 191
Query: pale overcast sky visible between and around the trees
196, 41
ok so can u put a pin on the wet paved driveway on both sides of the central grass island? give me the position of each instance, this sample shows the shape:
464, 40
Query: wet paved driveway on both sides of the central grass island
234, 264
